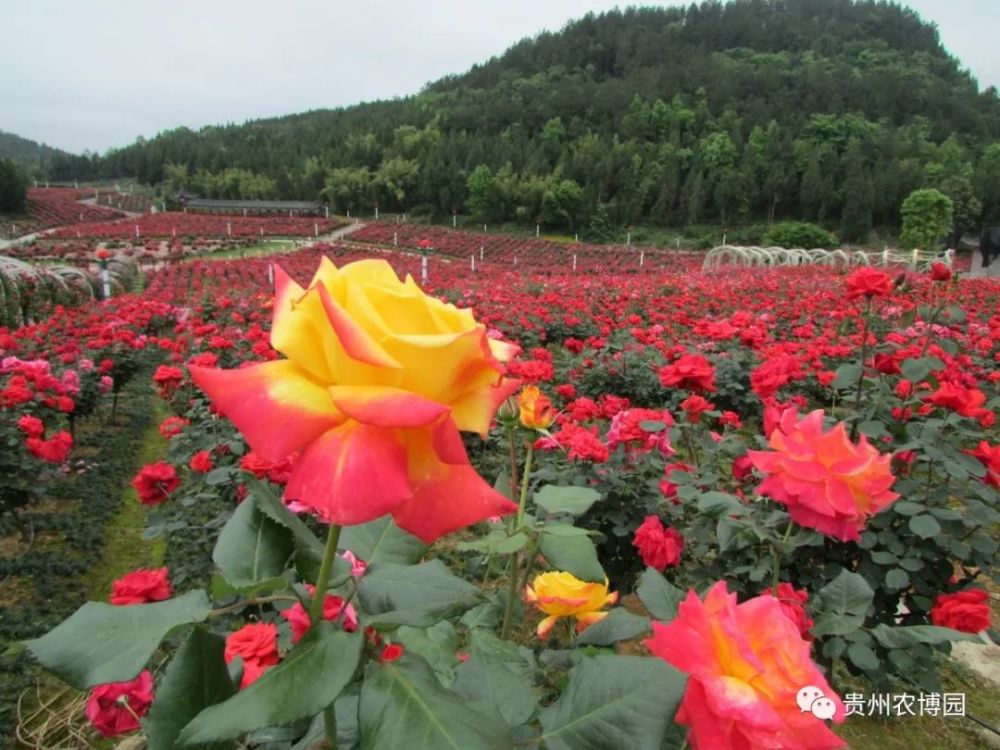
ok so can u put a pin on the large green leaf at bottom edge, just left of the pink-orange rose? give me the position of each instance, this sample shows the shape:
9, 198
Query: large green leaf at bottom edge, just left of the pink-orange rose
614, 702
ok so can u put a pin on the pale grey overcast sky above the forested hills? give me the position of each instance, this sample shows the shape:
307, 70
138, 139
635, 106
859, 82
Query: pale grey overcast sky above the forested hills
92, 74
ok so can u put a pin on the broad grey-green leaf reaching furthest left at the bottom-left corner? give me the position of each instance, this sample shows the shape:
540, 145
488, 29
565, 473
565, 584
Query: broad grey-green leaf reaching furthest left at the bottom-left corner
105, 643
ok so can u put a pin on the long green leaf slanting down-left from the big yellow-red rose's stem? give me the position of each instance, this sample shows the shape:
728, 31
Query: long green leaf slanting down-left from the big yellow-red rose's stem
324, 660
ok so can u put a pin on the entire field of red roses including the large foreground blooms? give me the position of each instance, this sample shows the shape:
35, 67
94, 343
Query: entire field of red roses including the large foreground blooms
619, 506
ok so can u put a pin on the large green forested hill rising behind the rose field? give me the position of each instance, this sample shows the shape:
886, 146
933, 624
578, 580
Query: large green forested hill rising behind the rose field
828, 110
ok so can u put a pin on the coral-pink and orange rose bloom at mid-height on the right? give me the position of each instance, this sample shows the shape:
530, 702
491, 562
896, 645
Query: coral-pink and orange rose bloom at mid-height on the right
827, 483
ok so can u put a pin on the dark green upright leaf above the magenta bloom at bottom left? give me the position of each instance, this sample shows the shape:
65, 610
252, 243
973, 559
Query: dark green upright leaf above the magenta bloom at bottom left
196, 678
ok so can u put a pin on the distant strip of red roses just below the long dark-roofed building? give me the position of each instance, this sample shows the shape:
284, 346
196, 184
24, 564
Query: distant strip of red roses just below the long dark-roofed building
175, 224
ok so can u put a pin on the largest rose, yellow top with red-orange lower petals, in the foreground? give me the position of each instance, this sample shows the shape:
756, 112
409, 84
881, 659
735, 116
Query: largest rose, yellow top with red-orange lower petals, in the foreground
379, 380
